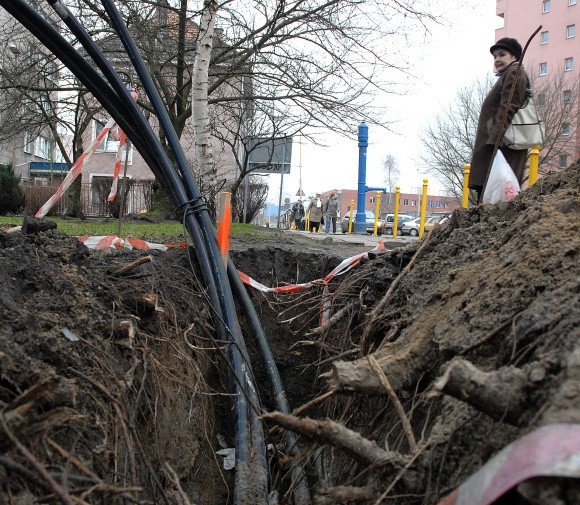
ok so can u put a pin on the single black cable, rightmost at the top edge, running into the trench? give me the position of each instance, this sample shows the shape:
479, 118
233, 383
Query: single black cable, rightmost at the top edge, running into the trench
250, 453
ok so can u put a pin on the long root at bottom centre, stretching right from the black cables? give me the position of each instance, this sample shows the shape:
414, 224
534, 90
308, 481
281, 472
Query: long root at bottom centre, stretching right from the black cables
336, 434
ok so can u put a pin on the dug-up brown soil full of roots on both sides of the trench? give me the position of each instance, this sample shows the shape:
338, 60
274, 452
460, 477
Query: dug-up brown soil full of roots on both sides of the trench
436, 356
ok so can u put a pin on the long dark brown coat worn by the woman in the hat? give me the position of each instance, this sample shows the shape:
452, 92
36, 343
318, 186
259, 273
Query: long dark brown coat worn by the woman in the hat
489, 127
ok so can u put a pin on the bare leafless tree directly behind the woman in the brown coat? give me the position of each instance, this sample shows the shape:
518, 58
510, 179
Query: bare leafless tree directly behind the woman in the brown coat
448, 140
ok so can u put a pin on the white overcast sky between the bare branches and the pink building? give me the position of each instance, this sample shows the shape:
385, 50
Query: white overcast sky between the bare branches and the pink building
454, 56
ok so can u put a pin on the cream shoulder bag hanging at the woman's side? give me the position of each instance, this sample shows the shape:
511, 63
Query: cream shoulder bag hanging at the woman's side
526, 129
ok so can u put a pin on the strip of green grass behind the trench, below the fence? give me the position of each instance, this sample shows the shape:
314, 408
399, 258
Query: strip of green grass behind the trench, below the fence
164, 231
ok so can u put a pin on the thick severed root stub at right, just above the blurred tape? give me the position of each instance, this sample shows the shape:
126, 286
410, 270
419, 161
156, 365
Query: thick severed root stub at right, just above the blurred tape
500, 394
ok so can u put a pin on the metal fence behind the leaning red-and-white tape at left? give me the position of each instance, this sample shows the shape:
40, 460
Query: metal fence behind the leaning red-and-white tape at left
93, 200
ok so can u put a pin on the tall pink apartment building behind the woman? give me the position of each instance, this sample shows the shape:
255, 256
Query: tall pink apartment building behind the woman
553, 62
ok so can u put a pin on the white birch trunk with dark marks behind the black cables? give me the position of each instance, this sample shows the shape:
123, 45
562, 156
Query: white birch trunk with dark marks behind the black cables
200, 111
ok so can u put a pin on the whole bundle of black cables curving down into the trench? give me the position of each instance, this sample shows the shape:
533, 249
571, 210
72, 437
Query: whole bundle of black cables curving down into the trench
179, 183
